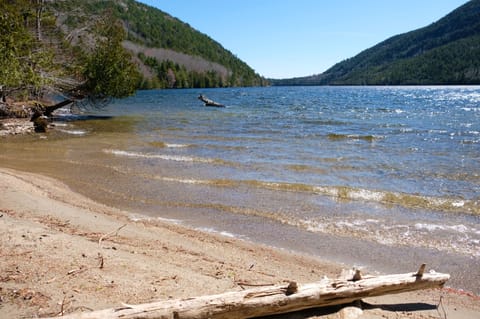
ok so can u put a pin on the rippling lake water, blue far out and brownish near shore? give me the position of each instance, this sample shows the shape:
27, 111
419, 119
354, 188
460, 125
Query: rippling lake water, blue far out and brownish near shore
384, 178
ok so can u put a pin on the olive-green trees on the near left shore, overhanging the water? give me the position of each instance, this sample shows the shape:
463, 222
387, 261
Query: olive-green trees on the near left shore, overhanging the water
31, 66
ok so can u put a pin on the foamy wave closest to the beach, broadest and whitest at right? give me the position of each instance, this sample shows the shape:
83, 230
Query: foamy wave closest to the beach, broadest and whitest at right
452, 238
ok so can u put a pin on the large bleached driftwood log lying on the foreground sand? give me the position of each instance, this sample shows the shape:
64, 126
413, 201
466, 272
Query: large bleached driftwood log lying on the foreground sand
274, 299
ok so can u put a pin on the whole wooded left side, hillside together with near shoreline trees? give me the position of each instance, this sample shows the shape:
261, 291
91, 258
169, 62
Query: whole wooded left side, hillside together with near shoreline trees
90, 51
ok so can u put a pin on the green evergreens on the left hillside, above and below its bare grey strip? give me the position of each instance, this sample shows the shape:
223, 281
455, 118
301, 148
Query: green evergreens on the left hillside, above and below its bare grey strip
153, 28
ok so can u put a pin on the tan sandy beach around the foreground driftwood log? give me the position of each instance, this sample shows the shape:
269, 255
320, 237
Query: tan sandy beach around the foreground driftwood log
61, 253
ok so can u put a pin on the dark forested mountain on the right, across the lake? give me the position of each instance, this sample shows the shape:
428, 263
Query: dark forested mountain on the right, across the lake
445, 52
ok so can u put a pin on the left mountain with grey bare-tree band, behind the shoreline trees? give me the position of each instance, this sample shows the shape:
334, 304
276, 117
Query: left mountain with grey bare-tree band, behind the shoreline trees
168, 51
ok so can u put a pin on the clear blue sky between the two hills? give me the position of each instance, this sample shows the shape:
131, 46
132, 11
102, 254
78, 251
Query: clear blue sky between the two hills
289, 38
